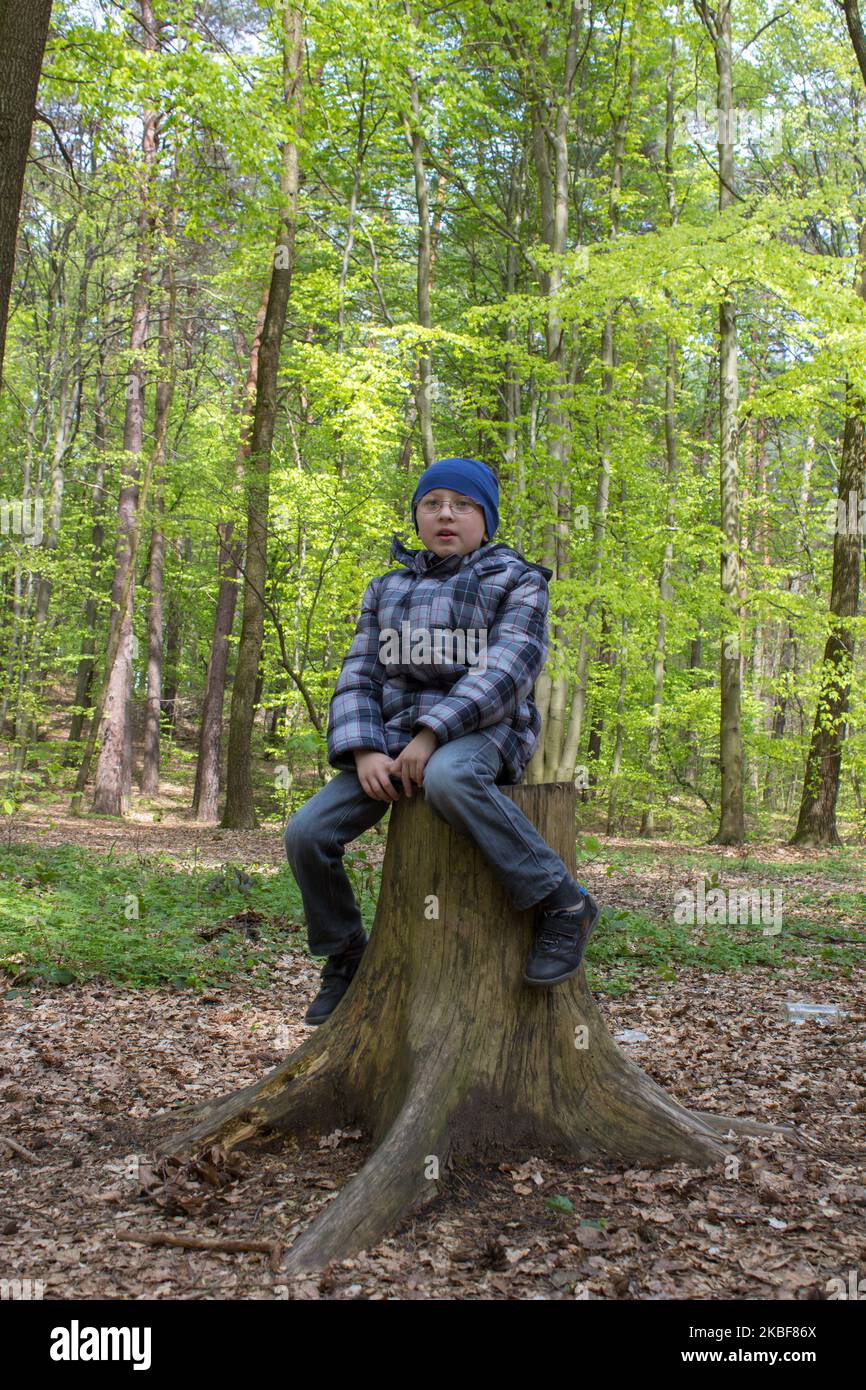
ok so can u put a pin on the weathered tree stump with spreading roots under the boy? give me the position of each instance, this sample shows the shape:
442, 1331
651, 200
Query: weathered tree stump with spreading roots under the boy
441, 1049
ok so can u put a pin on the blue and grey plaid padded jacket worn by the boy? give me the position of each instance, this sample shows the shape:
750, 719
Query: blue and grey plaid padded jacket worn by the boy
493, 591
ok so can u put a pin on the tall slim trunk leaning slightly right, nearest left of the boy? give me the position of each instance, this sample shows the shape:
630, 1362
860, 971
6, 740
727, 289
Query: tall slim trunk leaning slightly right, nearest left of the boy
240, 810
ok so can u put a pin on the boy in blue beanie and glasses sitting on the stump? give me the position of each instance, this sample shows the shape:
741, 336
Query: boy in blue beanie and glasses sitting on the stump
402, 714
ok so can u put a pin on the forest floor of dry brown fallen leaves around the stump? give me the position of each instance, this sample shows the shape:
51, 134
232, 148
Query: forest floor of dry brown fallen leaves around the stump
87, 1070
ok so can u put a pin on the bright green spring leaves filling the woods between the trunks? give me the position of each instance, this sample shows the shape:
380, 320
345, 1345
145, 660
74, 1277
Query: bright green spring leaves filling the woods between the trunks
469, 80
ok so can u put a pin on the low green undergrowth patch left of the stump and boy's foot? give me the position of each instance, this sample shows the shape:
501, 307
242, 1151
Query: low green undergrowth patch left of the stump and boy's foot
67, 914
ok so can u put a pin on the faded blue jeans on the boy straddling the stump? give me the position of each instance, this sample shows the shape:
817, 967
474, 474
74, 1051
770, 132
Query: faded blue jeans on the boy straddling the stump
461, 787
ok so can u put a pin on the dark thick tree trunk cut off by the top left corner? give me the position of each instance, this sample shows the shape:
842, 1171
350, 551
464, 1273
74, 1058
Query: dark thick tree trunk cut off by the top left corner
24, 28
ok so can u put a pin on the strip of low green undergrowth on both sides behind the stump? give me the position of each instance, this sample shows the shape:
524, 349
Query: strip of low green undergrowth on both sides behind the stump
142, 921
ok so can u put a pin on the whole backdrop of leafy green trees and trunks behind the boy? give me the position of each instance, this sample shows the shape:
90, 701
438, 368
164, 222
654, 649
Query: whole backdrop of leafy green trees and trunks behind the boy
272, 261
